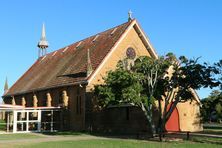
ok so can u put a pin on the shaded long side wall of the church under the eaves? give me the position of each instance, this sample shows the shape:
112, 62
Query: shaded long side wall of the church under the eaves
72, 120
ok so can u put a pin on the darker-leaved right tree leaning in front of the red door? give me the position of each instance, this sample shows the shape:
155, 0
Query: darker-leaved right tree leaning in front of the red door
185, 76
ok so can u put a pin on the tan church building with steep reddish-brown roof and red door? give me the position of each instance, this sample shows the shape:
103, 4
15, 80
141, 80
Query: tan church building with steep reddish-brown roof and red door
66, 78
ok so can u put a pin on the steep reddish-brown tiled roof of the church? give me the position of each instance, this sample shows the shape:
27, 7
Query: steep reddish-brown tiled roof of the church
68, 65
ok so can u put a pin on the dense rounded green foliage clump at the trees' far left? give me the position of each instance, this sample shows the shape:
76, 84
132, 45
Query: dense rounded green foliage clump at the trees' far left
121, 86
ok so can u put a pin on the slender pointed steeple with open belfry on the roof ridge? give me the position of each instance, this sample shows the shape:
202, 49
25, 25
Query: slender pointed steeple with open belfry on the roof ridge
43, 43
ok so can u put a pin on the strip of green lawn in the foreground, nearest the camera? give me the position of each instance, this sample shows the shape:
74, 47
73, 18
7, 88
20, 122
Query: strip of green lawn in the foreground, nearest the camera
119, 143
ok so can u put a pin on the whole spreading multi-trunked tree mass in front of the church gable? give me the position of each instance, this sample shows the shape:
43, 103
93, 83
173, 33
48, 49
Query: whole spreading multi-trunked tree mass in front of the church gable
165, 80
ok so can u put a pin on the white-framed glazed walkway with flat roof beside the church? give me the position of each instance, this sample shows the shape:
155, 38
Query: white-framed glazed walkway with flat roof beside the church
20, 119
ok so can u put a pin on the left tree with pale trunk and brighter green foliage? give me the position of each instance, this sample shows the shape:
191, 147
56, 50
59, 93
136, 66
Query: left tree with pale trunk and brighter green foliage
134, 84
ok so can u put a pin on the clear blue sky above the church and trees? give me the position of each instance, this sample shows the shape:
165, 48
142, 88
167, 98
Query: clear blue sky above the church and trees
185, 27
